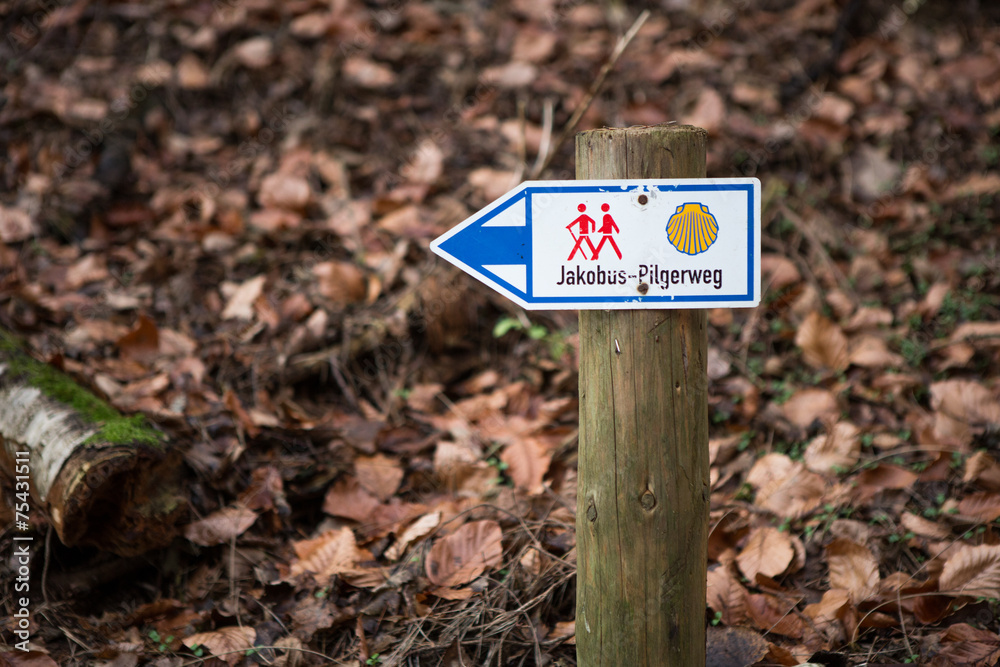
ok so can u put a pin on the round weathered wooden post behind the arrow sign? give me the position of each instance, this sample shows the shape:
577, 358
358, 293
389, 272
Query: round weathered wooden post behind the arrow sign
643, 488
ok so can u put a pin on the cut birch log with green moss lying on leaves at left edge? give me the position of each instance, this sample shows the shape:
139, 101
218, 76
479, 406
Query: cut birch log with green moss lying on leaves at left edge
102, 479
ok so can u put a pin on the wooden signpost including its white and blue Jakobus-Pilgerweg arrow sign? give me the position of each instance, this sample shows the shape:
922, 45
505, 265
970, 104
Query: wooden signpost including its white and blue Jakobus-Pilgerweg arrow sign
669, 244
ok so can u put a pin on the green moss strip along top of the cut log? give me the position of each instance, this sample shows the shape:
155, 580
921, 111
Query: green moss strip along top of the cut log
112, 426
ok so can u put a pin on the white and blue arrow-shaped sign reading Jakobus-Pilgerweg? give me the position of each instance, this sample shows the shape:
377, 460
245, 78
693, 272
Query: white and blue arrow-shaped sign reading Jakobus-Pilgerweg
616, 244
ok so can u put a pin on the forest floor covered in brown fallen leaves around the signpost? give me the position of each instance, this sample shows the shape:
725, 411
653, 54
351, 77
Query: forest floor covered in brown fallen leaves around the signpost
218, 215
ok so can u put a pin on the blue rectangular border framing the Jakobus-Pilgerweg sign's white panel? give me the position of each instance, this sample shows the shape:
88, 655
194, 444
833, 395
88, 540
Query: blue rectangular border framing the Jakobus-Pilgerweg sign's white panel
741, 187
